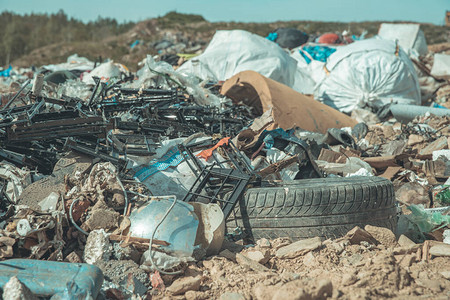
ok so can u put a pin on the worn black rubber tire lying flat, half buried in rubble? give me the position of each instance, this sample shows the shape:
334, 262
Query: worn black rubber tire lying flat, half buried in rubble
324, 207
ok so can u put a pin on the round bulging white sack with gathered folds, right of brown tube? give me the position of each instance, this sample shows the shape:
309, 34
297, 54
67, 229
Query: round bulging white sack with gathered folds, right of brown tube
371, 73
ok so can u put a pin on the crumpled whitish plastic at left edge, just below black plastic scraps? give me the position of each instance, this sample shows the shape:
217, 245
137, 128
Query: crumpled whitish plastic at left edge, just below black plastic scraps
17, 178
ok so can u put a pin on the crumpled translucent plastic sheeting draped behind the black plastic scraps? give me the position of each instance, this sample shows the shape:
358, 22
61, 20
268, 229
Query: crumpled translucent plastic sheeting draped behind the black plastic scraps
150, 75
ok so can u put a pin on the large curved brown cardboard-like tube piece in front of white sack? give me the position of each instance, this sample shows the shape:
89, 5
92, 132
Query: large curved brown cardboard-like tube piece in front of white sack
290, 108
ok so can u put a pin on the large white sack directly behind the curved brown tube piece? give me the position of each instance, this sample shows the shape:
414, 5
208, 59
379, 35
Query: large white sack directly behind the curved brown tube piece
231, 52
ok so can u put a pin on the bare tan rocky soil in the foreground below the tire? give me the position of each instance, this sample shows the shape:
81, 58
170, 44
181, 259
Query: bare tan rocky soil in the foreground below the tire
365, 264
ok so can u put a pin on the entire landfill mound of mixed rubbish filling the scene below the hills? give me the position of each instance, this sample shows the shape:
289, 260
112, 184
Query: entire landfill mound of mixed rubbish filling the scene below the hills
267, 173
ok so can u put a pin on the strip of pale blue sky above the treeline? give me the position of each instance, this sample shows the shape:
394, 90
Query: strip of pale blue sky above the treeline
427, 11
